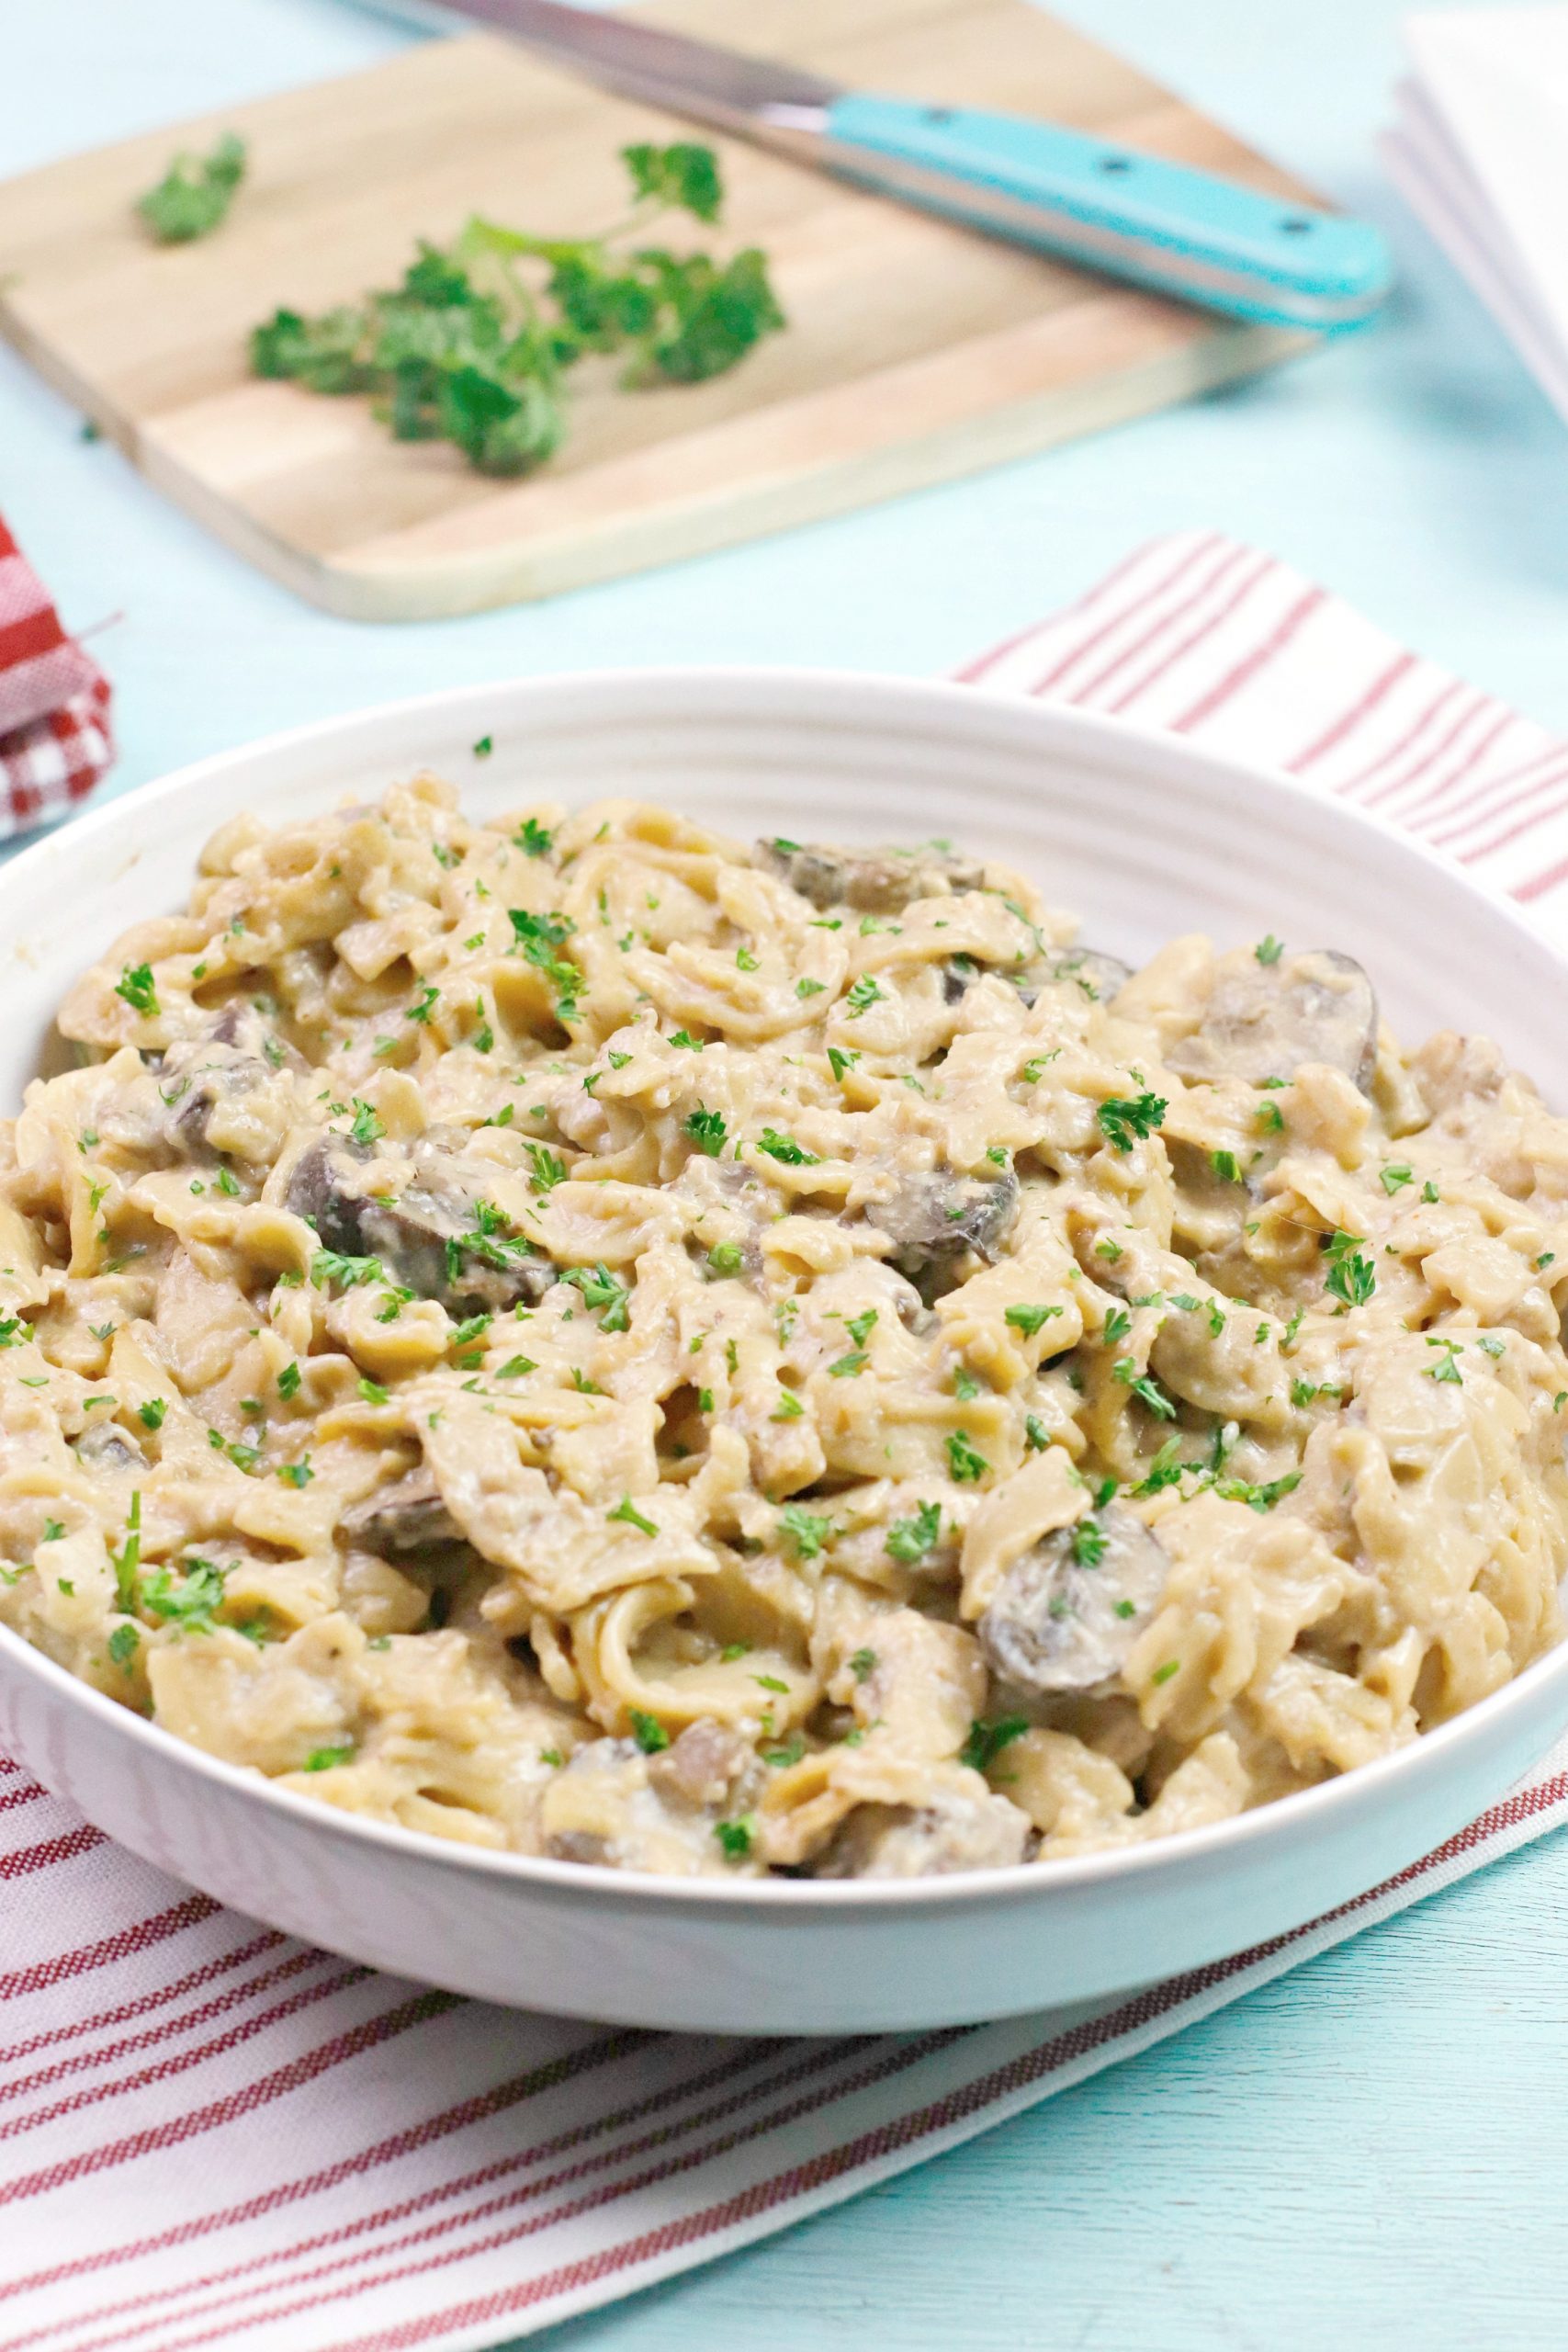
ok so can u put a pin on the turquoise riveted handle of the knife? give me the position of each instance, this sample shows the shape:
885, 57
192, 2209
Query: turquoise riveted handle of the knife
1120, 211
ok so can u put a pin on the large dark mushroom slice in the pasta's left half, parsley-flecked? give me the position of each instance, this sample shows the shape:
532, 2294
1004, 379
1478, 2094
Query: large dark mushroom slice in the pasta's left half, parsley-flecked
429, 1238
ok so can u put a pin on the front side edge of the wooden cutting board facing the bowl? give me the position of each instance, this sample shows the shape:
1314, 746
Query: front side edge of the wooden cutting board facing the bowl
492, 580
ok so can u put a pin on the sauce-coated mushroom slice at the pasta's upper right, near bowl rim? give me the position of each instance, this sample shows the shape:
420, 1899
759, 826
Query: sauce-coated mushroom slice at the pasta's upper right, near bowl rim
1268, 1020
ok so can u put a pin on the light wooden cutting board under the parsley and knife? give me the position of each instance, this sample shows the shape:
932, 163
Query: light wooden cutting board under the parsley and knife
916, 349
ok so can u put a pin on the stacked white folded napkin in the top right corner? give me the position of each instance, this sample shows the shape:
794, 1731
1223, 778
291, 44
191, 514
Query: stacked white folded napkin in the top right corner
1480, 149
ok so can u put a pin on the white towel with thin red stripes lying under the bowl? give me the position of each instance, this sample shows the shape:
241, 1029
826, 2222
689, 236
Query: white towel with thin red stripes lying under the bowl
217, 2137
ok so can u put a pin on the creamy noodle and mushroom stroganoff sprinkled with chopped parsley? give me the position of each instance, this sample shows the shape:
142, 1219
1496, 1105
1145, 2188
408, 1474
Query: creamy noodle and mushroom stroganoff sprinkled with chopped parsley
589, 1339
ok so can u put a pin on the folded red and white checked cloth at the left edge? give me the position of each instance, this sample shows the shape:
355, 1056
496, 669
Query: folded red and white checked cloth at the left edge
55, 737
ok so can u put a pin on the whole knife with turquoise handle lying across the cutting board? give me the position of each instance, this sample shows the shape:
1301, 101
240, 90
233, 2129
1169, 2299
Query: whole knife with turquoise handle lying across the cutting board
1120, 211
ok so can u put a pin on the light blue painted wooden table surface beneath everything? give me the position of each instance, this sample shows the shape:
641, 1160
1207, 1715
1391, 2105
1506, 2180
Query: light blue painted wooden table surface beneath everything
1369, 2153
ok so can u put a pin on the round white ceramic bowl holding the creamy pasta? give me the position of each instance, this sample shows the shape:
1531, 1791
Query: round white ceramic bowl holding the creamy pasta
1141, 836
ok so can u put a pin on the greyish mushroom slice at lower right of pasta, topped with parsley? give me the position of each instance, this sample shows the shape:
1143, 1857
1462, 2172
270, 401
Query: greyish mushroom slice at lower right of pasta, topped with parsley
1071, 1610
